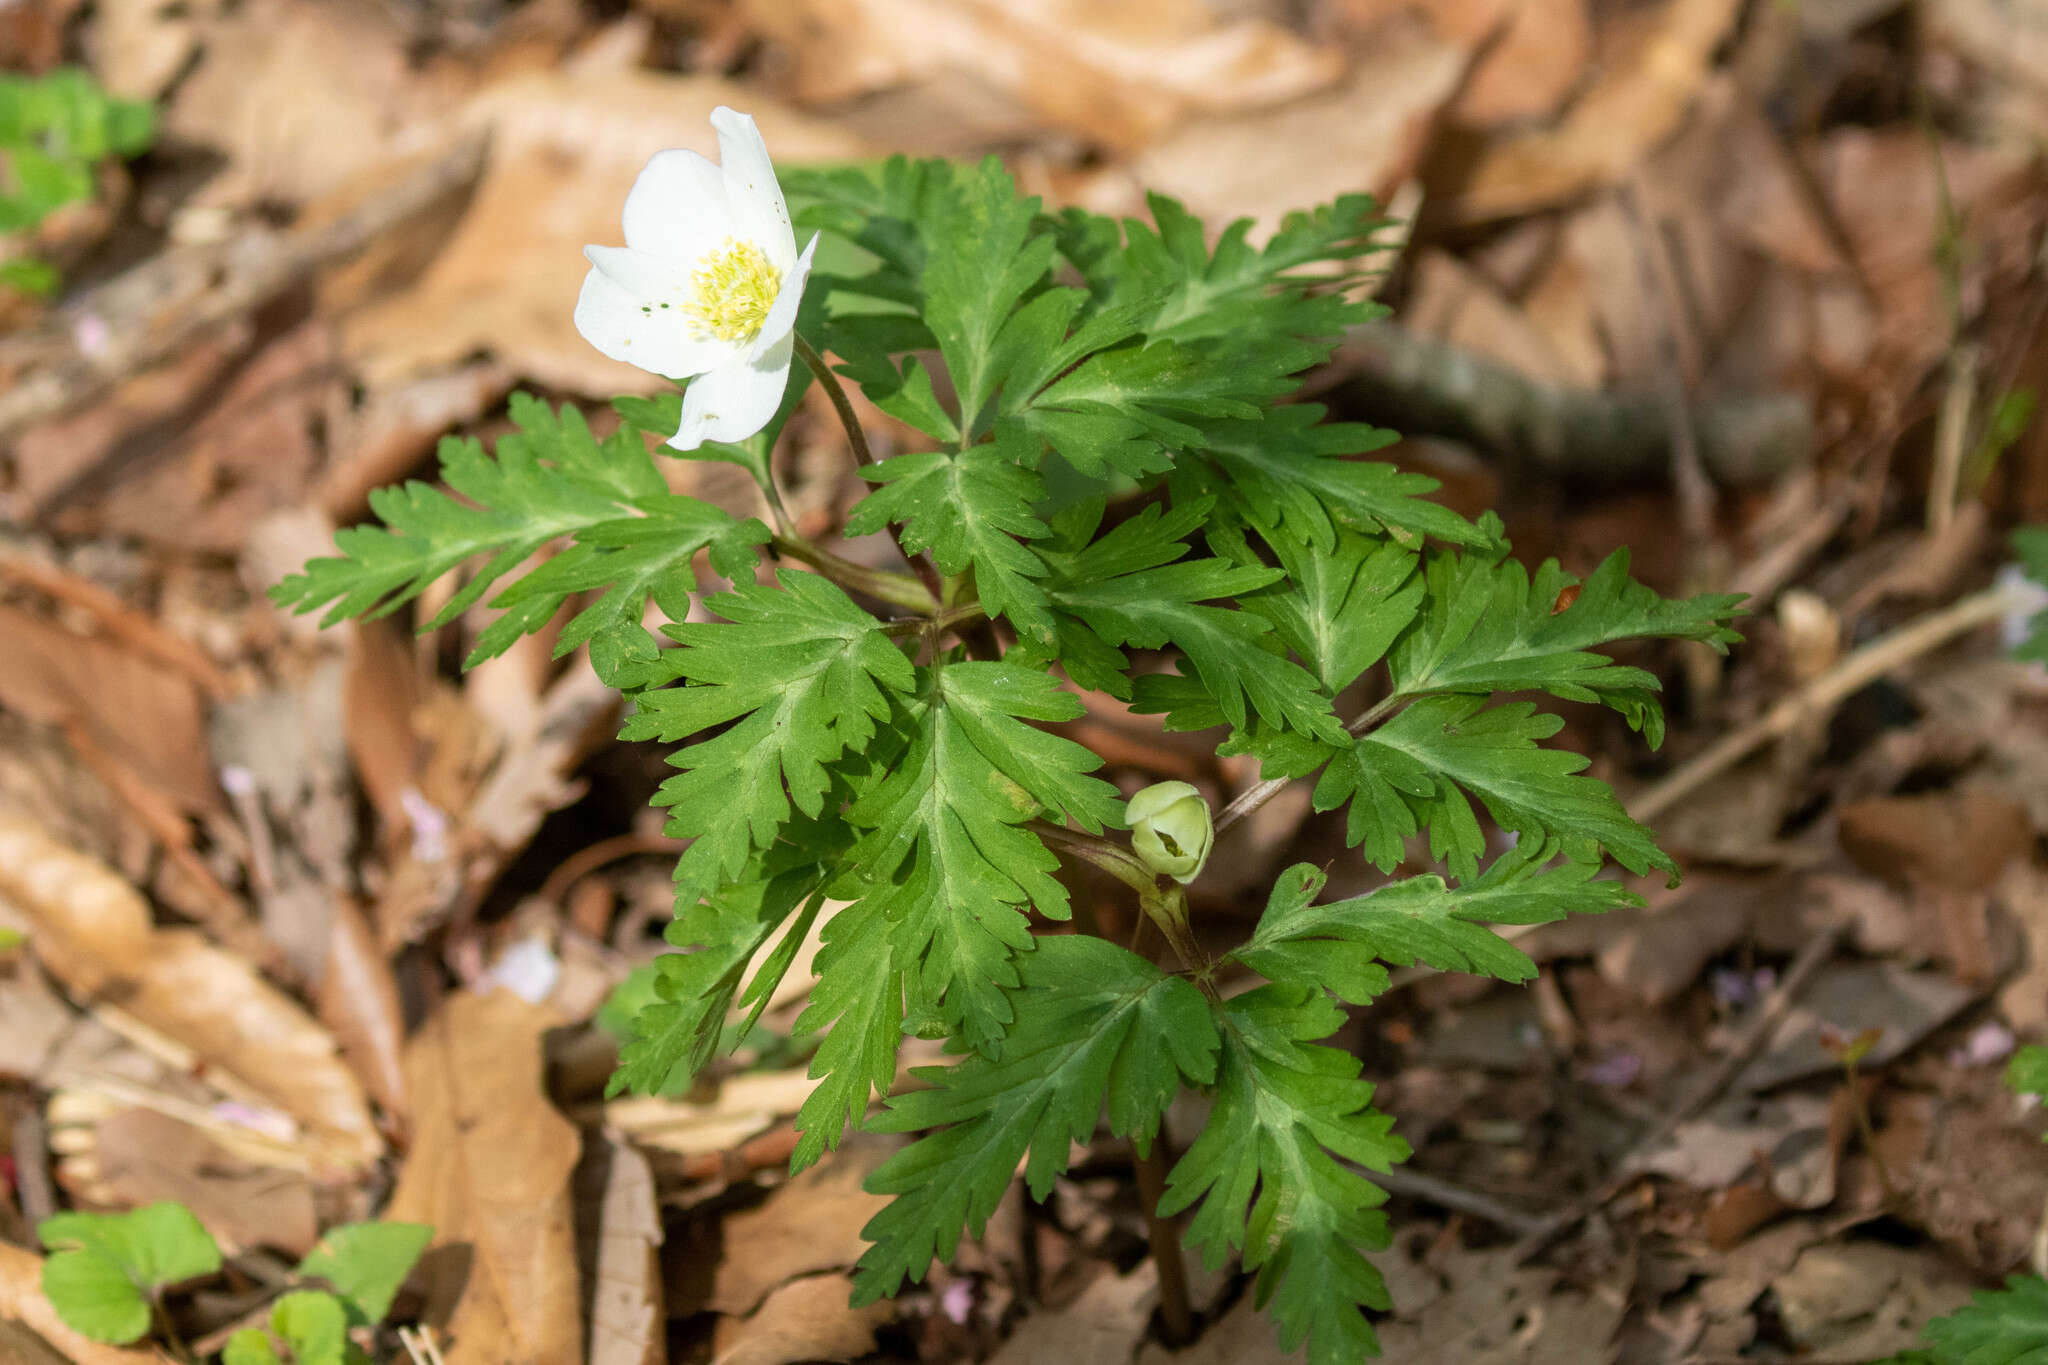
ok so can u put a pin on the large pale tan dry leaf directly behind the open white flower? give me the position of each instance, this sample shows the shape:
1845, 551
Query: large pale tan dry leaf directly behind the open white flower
566, 148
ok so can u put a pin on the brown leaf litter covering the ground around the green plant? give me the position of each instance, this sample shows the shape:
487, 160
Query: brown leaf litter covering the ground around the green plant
263, 883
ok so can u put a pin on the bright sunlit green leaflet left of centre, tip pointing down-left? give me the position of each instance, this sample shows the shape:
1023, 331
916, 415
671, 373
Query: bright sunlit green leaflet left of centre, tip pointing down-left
802, 676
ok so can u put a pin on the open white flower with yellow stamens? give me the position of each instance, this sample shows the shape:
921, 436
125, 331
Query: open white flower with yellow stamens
708, 283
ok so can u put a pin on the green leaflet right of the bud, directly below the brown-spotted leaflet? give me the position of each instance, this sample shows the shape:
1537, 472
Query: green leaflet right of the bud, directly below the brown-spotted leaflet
1418, 768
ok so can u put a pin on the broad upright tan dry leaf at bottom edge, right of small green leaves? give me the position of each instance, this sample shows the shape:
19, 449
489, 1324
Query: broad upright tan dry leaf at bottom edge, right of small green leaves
490, 1172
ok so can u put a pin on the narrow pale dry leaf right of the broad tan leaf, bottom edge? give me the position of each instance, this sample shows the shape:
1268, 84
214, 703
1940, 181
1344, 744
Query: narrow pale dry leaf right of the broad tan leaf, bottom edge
620, 1235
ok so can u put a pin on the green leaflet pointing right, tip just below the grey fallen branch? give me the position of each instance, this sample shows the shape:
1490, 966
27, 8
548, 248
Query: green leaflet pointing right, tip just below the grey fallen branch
1295, 472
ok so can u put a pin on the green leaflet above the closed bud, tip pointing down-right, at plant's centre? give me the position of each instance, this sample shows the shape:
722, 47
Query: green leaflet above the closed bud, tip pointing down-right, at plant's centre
1125, 592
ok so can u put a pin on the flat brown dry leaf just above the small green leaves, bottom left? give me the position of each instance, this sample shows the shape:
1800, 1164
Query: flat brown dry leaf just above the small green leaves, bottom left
146, 1157
